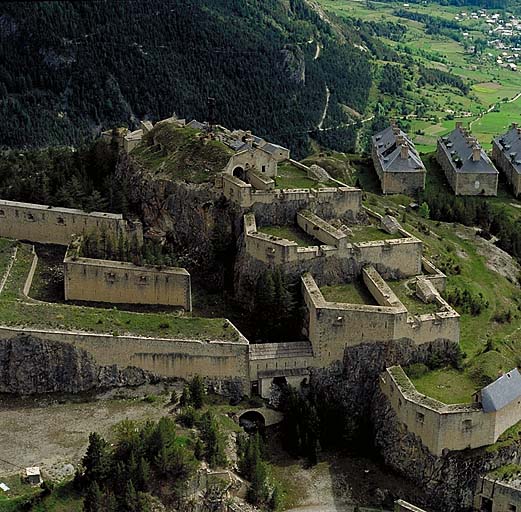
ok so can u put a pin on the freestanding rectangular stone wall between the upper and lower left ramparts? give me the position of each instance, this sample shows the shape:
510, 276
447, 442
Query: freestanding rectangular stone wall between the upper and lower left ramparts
118, 282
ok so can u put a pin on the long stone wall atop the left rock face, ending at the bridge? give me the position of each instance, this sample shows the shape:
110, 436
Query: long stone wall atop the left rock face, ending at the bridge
164, 357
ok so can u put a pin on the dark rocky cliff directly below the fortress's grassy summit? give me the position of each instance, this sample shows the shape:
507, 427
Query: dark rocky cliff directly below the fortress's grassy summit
199, 223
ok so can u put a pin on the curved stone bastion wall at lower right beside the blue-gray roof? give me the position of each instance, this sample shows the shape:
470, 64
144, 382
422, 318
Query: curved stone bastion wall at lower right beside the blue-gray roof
443, 427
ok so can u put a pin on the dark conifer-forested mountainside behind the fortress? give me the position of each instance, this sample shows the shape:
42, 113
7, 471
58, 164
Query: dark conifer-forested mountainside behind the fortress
70, 69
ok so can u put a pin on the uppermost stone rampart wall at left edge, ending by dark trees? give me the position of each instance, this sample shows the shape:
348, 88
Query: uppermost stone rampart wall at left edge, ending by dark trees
45, 224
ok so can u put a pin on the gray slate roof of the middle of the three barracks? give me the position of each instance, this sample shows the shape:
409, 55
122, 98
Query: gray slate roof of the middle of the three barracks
455, 145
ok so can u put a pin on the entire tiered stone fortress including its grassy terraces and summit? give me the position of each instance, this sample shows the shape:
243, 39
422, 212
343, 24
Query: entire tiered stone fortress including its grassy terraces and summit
371, 300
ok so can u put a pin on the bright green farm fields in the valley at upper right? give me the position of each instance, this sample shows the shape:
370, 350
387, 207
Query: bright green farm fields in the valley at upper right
429, 111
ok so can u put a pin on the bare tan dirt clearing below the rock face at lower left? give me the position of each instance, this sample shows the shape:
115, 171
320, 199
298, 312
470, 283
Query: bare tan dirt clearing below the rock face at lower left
50, 436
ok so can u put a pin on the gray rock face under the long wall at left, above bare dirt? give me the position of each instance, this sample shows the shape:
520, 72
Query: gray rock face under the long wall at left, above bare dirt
30, 365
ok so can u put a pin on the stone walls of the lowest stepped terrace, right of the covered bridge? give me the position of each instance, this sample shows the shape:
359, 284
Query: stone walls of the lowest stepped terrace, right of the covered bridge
334, 326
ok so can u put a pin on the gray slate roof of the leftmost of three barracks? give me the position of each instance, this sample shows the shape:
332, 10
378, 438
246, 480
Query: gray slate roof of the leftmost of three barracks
389, 152
